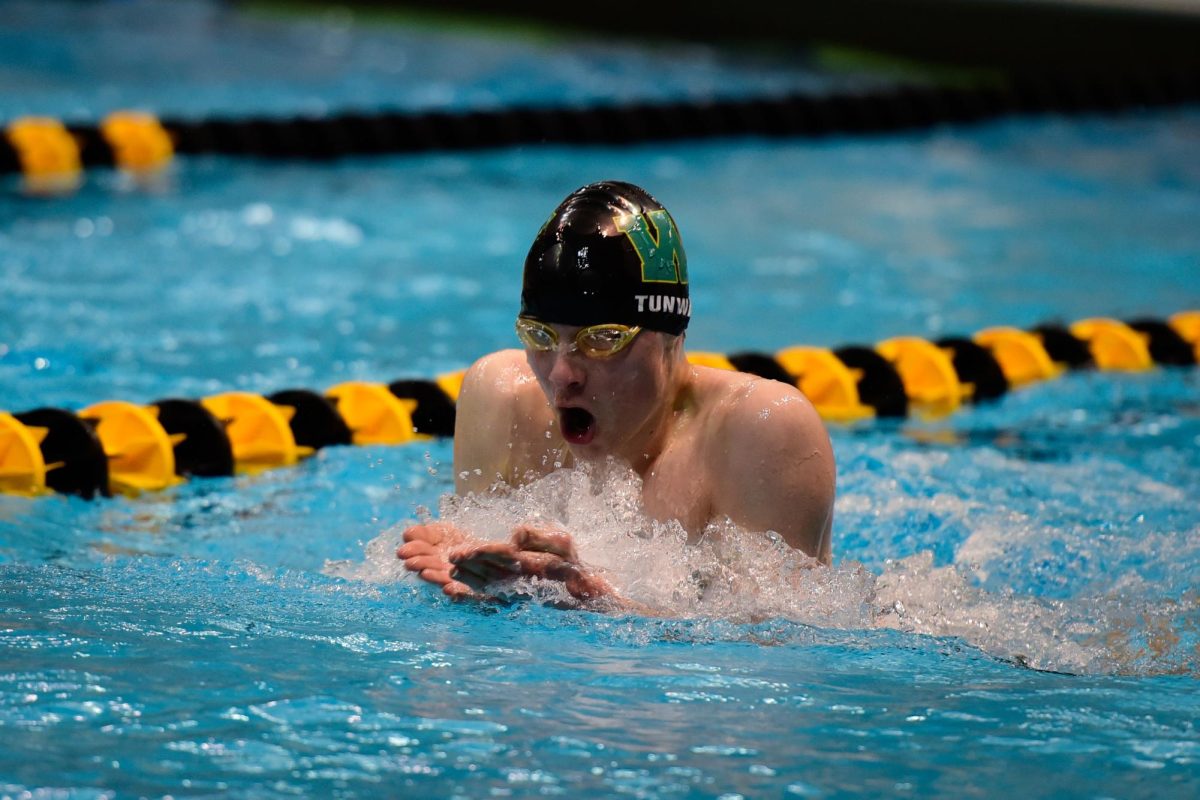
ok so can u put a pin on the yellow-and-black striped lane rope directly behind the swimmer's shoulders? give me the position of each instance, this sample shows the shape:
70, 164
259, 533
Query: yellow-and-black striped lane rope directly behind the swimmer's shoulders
122, 448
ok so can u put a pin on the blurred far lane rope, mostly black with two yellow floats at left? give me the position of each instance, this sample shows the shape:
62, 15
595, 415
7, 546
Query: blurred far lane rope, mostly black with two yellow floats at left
52, 155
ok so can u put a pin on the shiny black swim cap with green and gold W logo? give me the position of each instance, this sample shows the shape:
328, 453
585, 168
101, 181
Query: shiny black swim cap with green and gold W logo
611, 254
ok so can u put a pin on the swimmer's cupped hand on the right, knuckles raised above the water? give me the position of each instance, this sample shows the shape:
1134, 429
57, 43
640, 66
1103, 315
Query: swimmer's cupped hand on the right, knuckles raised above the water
531, 554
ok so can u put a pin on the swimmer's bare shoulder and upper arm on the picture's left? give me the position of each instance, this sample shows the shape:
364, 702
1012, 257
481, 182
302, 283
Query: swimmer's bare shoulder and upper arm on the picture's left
484, 423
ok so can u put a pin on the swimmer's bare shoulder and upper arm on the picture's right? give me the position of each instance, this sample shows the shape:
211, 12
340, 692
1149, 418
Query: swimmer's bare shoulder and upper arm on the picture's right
777, 470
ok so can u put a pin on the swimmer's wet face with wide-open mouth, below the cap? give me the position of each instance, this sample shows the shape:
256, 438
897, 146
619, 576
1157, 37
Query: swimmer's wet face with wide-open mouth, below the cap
614, 406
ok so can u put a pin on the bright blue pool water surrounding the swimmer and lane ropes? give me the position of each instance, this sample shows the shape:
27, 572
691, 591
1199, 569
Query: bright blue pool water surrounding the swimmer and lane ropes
1013, 606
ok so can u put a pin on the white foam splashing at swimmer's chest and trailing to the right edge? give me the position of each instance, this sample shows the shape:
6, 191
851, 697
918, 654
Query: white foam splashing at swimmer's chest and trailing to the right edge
735, 576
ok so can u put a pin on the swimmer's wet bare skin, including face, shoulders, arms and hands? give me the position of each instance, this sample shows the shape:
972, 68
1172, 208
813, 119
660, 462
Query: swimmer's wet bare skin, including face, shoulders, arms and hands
709, 444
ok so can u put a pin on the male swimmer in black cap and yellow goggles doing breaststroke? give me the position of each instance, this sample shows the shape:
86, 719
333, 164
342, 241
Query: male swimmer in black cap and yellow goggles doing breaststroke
603, 375
